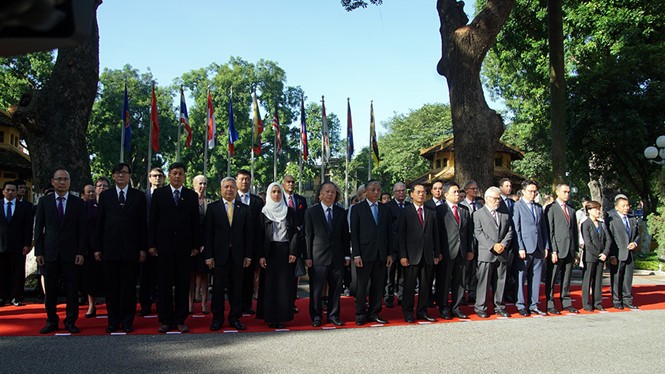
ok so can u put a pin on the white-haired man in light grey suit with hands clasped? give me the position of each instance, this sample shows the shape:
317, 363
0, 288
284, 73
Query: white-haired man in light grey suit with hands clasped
494, 233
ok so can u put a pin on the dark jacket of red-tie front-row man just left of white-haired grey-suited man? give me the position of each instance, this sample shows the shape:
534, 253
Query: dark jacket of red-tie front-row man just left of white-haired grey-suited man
456, 239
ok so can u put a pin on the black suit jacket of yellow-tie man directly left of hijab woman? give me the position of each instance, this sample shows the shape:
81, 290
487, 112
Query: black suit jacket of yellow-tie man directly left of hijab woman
224, 242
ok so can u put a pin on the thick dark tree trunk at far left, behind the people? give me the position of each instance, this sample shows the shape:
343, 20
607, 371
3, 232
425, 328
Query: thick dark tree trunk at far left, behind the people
54, 119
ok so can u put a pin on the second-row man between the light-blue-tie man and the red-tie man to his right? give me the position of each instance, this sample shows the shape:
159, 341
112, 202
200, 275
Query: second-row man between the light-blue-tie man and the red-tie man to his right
395, 281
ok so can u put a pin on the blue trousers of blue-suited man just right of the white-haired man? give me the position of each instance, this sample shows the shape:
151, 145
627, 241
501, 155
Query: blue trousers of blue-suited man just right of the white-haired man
528, 269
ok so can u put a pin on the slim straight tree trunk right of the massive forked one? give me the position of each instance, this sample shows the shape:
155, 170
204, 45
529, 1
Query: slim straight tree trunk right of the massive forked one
557, 89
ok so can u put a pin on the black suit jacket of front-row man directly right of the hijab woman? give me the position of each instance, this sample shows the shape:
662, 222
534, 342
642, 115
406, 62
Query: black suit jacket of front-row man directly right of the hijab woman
325, 248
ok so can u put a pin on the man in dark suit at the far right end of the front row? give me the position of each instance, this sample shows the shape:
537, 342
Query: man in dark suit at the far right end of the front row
623, 231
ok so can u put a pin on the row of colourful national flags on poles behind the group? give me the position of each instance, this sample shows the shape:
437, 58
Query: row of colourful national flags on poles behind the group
211, 131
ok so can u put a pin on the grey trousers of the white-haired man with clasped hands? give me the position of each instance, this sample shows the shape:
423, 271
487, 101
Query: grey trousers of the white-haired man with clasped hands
494, 275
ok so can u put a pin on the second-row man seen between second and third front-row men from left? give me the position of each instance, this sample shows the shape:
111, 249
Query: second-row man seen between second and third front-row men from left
148, 268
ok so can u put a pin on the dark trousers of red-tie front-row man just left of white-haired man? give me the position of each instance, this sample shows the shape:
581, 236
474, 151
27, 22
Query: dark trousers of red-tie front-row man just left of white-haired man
450, 276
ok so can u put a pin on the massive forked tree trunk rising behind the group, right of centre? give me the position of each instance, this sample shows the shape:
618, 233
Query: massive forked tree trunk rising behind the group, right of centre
476, 127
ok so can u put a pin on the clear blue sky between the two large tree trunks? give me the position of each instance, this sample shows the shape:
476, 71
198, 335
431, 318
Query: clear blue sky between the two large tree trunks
387, 53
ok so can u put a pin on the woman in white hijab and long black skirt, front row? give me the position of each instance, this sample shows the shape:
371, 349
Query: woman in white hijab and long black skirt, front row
277, 259
